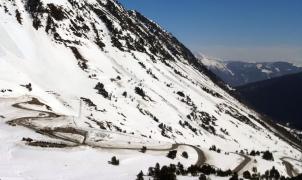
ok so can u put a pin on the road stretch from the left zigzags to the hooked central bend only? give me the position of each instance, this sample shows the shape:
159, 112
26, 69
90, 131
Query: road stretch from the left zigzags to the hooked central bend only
22, 122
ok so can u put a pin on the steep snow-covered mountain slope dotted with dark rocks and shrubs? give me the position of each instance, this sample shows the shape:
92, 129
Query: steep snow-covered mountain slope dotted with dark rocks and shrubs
98, 71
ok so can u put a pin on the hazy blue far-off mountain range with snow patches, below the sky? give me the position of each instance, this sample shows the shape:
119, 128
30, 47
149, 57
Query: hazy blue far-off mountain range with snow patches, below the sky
237, 73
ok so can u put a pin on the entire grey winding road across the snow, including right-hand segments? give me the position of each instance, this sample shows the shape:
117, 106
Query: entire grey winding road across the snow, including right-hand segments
25, 122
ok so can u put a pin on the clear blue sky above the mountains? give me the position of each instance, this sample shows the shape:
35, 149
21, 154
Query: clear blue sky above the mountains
247, 30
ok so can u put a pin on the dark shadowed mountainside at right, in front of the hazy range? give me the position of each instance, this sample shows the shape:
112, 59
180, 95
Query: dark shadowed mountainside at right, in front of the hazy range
280, 98
